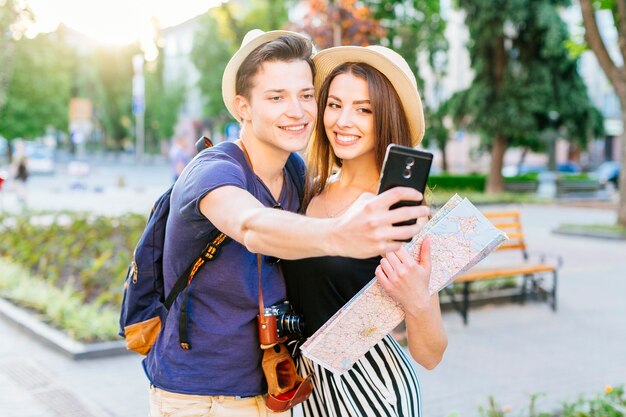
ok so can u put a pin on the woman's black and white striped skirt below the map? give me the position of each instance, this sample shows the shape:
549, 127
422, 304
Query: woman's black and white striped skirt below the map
381, 383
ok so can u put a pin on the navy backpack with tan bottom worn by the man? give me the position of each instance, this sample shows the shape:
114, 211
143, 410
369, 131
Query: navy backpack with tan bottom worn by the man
144, 305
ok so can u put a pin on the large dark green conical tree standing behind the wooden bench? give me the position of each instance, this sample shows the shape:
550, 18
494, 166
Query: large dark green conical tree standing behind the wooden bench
526, 88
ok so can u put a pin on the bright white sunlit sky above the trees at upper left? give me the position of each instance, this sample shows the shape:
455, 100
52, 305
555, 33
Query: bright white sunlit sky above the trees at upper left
114, 22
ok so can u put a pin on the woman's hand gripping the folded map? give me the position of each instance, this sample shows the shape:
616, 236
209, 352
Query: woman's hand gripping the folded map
406, 279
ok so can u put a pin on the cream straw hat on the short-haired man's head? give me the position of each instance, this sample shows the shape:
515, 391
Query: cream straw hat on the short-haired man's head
252, 40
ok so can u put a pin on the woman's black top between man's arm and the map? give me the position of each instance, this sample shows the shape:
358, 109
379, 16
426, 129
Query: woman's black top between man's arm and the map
318, 287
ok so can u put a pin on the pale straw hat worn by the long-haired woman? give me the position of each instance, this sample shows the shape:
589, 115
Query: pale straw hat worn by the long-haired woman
391, 65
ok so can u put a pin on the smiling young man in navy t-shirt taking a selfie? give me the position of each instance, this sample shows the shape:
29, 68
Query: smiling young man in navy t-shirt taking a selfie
237, 188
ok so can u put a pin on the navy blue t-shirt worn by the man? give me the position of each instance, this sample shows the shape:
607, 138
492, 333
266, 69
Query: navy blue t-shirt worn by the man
225, 358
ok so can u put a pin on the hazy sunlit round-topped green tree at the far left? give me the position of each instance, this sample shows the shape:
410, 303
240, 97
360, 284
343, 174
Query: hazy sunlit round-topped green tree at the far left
39, 89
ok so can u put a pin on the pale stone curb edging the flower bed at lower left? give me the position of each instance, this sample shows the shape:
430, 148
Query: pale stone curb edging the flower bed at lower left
56, 339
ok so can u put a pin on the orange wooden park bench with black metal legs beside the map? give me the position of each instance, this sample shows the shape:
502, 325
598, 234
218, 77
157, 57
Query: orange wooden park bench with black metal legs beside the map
511, 259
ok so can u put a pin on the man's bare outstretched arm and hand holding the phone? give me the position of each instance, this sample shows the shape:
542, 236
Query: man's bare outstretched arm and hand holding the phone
364, 230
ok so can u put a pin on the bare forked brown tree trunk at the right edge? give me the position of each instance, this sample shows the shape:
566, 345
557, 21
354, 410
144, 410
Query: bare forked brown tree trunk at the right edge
615, 72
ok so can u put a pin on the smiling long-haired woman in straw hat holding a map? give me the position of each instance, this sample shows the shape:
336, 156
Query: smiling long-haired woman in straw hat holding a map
367, 99
